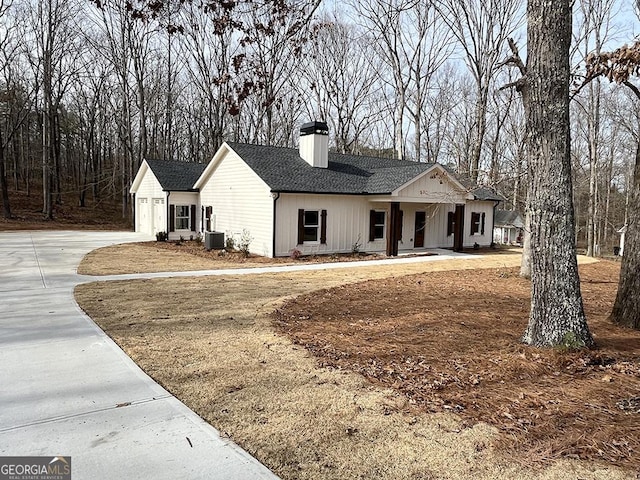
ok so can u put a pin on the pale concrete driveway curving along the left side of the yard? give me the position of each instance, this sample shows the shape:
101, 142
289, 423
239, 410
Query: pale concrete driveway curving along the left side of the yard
67, 389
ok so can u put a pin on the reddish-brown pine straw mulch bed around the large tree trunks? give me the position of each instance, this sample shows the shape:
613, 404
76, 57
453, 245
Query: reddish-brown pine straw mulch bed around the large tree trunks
455, 346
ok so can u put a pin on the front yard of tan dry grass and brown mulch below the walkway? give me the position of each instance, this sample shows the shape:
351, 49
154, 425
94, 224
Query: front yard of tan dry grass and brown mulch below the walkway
302, 393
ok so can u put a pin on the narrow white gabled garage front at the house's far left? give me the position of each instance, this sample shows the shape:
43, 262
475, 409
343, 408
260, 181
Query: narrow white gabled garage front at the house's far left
151, 215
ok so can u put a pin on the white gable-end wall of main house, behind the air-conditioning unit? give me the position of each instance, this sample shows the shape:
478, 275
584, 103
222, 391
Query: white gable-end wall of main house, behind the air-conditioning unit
240, 200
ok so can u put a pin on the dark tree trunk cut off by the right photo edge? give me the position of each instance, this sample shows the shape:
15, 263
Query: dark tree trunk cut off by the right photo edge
626, 309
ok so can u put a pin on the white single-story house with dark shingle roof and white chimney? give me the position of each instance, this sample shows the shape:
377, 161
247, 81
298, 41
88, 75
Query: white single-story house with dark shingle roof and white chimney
318, 202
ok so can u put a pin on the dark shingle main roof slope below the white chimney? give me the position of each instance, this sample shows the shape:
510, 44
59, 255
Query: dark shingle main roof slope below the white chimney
283, 170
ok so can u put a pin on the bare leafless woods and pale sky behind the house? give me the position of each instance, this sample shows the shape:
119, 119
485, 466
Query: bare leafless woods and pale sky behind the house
90, 89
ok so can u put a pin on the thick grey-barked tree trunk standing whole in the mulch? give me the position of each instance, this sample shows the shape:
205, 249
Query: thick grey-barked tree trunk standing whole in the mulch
557, 314
